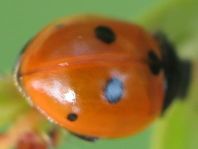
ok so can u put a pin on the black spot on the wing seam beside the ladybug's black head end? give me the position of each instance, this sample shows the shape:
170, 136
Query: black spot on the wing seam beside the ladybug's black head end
154, 63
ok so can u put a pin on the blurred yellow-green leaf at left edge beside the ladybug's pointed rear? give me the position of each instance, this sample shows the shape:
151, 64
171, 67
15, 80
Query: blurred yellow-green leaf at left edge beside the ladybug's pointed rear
12, 104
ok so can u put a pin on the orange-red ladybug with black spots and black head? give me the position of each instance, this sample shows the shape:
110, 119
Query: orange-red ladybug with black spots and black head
99, 77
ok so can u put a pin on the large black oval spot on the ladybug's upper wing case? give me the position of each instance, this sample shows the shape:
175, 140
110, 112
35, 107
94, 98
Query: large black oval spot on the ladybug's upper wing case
105, 34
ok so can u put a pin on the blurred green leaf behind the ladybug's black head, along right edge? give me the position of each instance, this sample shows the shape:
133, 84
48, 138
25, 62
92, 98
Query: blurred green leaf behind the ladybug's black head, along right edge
179, 128
